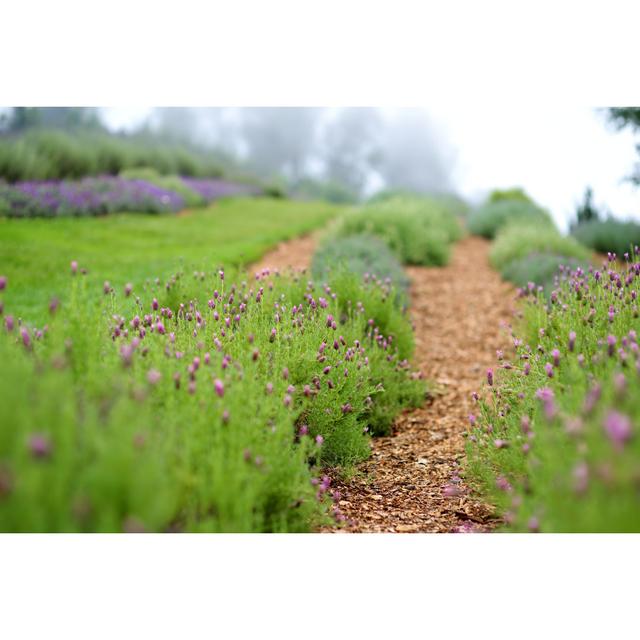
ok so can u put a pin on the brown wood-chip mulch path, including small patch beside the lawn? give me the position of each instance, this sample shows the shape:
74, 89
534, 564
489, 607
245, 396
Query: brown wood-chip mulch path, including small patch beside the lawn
461, 314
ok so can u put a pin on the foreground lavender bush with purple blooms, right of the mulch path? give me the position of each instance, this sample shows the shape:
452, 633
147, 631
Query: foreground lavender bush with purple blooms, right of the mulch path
555, 441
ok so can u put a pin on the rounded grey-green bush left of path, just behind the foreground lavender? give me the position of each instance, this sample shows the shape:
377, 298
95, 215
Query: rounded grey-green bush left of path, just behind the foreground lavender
360, 254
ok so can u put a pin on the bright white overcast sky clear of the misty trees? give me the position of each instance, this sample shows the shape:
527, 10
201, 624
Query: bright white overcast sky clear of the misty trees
553, 153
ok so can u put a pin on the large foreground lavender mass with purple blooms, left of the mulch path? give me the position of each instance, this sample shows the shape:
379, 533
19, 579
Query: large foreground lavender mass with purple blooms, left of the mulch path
209, 403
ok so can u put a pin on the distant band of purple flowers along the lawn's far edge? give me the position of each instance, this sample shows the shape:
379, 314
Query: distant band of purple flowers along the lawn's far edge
103, 195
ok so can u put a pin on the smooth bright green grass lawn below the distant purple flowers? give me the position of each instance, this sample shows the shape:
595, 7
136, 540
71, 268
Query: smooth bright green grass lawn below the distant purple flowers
35, 254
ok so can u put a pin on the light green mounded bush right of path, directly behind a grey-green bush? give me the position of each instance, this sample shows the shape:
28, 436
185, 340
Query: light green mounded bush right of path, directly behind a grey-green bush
517, 241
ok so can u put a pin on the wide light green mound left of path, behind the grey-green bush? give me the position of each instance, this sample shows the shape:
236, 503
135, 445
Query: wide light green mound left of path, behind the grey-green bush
418, 230
